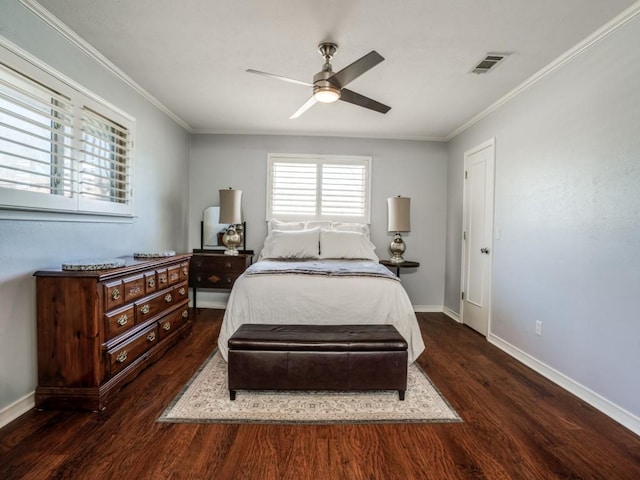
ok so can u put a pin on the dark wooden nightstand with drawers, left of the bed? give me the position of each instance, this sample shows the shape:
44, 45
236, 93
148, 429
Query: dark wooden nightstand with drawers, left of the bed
215, 270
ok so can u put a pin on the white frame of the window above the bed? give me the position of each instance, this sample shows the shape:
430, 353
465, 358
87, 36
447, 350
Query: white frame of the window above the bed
319, 160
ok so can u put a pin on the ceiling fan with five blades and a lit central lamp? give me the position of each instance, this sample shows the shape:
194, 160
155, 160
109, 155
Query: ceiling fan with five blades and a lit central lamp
328, 87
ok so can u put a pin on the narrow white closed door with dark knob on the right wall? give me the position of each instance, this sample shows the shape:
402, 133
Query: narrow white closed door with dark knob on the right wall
477, 236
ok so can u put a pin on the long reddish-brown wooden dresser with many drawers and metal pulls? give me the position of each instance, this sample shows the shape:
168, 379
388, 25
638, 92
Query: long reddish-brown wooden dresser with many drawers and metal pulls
98, 329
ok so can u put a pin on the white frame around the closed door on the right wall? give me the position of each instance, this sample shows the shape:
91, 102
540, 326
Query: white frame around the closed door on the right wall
463, 266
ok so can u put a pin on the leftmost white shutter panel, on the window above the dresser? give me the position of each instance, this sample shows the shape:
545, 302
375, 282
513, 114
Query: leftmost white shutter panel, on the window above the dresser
36, 140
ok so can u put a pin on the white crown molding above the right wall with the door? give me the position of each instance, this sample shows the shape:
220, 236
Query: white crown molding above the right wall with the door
604, 31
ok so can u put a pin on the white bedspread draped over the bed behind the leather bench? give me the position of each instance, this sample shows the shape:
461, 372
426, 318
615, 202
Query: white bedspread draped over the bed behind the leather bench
320, 300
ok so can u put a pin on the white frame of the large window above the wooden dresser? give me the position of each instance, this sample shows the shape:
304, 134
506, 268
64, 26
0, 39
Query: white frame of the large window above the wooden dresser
16, 203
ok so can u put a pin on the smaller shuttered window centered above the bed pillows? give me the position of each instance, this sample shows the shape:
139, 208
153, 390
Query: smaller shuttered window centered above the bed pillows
318, 187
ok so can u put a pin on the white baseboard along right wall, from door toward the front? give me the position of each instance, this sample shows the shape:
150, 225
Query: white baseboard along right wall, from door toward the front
617, 413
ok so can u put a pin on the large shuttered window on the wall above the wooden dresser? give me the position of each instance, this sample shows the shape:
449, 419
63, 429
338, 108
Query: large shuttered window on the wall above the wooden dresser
61, 148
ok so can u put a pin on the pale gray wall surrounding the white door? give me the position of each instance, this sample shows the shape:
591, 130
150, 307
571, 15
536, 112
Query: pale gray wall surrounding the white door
567, 206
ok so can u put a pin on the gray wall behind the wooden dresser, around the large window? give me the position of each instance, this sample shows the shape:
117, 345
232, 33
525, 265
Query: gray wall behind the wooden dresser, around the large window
161, 196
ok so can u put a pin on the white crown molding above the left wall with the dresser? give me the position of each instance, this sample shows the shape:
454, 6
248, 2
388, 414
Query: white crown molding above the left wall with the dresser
97, 57
